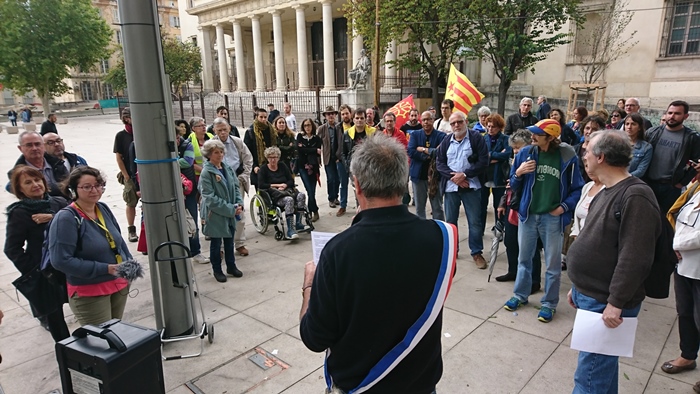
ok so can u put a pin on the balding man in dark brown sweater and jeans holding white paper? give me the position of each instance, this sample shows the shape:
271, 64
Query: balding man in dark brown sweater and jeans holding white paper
613, 254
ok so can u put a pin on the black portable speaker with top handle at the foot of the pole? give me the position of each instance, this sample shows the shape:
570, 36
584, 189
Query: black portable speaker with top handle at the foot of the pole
114, 357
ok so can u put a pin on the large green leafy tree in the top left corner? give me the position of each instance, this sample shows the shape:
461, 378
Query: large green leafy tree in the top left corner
40, 41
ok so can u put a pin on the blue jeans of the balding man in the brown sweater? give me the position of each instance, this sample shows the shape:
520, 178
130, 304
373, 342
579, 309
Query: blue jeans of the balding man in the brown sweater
596, 373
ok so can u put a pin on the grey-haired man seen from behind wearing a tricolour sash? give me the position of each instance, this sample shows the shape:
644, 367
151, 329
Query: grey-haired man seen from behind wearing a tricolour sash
374, 301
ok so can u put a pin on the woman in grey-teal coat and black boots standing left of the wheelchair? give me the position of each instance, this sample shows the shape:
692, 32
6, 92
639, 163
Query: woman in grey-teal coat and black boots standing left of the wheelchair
222, 202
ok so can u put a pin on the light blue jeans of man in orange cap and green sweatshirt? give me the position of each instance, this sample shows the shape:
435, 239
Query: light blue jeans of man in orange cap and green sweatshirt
548, 228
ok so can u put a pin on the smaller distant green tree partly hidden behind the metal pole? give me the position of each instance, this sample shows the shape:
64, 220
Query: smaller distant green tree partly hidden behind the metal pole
182, 61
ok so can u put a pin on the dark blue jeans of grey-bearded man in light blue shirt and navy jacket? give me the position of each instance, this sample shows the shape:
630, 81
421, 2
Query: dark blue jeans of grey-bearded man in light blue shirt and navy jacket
472, 206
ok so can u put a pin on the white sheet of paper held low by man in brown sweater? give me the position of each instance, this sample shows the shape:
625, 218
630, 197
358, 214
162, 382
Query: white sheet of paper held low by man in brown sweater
591, 335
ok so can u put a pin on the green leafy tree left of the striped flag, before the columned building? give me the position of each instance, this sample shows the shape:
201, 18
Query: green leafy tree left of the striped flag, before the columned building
432, 28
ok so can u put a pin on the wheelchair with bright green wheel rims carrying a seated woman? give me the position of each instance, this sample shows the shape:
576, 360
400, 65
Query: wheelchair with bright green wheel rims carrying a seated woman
263, 213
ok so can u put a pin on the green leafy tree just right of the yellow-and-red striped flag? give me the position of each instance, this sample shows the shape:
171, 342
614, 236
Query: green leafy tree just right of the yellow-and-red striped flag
515, 34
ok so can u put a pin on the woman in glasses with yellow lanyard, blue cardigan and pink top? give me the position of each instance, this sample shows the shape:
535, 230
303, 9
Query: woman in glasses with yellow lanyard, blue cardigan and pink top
86, 244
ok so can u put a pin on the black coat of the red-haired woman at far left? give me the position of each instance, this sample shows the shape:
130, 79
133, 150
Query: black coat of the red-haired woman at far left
20, 229
